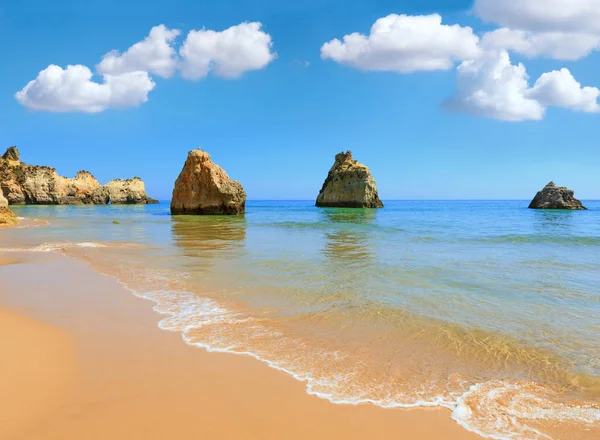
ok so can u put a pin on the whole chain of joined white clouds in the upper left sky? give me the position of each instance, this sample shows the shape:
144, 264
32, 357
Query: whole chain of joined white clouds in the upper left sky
126, 77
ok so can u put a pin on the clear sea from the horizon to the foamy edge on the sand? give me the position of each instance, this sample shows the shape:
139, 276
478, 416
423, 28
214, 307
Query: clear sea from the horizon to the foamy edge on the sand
487, 308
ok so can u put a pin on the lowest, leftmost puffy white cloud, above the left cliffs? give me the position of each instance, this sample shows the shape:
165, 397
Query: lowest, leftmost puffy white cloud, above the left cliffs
72, 90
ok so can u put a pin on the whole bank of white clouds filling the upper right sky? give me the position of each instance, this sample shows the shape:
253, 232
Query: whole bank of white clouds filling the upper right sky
488, 84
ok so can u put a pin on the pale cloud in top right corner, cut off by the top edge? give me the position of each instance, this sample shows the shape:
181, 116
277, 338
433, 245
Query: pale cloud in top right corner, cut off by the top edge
542, 15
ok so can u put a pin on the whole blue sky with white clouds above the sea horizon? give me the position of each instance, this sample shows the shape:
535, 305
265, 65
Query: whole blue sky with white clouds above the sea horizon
442, 99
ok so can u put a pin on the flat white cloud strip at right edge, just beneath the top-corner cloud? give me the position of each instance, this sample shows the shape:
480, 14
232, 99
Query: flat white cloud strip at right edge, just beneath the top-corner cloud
556, 45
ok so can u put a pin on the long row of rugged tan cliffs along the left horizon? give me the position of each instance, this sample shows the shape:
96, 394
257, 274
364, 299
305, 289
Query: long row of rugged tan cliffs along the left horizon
40, 185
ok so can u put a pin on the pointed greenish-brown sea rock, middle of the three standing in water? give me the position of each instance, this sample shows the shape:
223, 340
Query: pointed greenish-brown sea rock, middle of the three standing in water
349, 185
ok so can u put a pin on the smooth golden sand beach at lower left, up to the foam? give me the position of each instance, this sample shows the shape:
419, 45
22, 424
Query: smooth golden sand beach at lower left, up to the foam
84, 359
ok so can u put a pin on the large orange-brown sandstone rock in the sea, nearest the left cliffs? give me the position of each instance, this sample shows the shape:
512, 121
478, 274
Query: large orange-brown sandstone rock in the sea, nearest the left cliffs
204, 188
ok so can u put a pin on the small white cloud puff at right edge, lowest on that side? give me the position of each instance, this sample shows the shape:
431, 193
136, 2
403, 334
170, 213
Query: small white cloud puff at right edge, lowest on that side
560, 89
